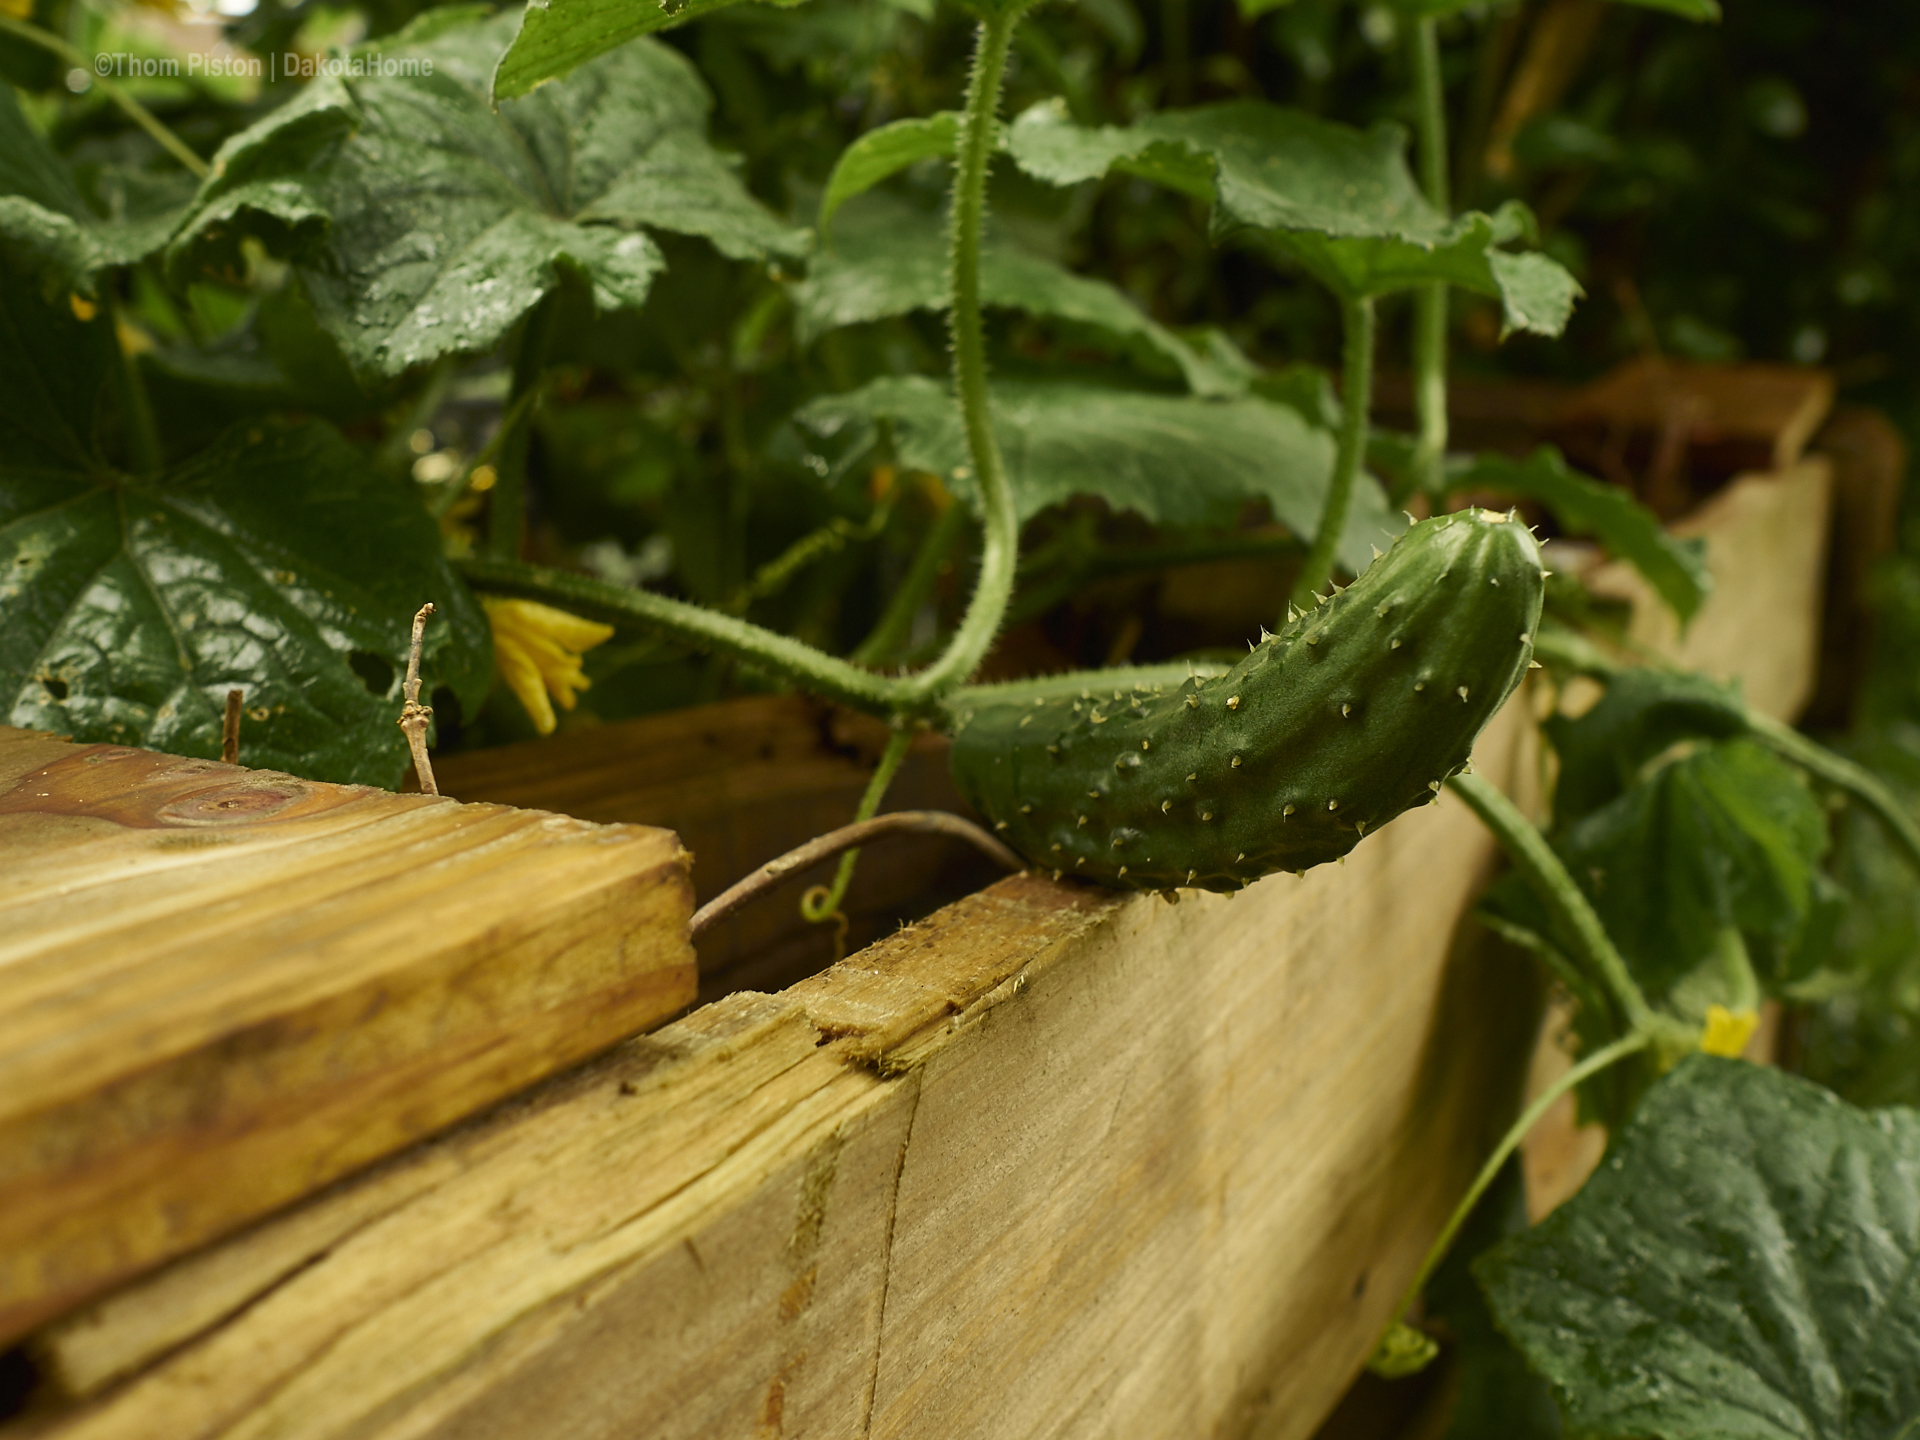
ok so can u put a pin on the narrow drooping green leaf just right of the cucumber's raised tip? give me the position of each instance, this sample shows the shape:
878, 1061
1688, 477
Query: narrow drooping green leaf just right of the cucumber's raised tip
1677, 569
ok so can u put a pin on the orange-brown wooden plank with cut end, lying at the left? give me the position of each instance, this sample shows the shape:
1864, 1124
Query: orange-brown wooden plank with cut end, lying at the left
222, 990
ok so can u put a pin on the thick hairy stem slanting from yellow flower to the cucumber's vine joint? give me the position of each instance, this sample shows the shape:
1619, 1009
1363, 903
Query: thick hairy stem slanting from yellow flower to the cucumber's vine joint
694, 627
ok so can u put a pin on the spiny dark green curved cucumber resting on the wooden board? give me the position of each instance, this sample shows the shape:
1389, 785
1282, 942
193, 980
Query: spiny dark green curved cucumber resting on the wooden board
1324, 732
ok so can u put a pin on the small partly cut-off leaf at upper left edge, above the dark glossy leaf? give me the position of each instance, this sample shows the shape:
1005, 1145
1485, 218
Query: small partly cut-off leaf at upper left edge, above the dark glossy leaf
49, 228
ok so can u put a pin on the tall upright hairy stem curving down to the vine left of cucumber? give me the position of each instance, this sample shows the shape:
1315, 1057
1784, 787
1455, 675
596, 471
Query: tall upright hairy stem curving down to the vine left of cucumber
1001, 527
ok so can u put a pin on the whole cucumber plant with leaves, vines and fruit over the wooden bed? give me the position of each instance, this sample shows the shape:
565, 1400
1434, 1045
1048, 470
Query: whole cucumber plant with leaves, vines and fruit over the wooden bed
331, 270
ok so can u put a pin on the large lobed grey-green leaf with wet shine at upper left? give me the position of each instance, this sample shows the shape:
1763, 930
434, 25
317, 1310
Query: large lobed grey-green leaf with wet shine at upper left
427, 222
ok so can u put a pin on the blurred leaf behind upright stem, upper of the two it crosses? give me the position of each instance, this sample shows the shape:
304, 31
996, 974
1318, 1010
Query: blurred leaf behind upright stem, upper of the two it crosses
890, 258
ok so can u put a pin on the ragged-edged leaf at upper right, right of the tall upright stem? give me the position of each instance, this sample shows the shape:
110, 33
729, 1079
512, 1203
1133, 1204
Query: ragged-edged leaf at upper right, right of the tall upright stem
1337, 201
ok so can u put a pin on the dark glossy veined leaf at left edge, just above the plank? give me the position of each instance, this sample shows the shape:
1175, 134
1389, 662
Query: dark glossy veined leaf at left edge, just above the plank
276, 564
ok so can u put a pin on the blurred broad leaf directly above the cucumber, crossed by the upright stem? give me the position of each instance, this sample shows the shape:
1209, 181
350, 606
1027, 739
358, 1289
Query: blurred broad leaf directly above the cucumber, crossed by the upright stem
1174, 460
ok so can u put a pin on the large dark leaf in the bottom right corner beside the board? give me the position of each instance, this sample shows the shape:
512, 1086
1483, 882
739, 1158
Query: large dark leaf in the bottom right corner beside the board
1744, 1266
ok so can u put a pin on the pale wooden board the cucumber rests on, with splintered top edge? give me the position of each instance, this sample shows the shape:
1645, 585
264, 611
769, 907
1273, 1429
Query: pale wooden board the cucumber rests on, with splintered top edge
1051, 1163
